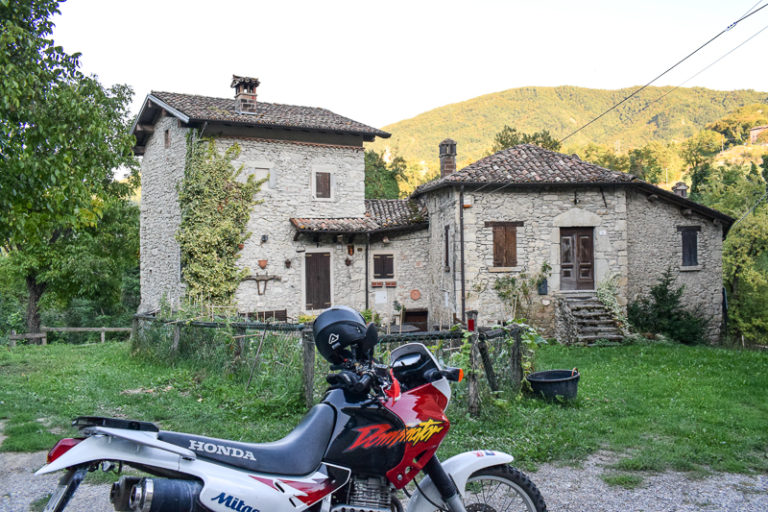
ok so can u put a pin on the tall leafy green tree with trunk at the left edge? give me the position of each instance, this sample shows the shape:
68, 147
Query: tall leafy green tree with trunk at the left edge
62, 134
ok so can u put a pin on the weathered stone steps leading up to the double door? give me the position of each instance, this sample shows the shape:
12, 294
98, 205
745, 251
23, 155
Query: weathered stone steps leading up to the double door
581, 318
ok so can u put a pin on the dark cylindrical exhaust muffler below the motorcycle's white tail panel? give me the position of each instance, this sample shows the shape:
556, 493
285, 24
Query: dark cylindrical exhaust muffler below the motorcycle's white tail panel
162, 495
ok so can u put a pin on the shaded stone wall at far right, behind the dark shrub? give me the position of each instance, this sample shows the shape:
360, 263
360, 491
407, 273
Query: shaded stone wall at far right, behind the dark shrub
655, 243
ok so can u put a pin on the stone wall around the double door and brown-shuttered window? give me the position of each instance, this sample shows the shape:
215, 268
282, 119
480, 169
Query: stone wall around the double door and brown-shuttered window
543, 213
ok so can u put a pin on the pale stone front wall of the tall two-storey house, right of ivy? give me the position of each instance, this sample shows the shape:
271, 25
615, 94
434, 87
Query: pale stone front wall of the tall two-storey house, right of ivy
288, 192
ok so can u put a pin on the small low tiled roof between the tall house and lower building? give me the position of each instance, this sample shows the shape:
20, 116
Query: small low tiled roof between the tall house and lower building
380, 215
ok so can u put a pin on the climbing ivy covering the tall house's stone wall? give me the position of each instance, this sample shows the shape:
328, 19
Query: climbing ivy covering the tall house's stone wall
215, 208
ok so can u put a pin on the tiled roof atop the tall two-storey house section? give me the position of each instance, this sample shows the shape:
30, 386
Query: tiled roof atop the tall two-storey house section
191, 108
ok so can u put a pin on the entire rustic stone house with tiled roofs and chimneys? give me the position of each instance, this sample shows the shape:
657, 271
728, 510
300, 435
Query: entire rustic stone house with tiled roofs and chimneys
316, 241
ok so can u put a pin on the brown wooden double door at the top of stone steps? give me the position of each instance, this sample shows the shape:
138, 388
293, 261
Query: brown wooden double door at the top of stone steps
577, 263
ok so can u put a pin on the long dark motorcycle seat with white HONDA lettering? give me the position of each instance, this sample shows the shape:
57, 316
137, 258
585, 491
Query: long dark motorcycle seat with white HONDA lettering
298, 453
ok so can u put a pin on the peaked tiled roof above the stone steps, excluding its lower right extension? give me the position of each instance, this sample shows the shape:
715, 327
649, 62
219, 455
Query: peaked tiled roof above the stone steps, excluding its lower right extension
527, 164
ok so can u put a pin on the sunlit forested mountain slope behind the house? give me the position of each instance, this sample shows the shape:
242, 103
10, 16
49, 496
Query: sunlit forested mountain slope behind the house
473, 123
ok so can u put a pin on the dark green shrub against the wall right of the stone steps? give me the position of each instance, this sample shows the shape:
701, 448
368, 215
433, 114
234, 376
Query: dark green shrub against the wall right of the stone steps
661, 313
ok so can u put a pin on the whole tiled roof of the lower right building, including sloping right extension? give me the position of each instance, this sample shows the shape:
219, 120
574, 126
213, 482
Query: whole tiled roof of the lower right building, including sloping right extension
526, 166
